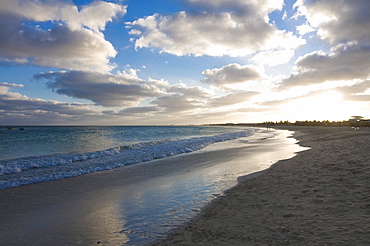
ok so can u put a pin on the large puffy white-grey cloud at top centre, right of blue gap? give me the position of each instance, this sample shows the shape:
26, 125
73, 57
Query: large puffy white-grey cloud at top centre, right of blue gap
215, 32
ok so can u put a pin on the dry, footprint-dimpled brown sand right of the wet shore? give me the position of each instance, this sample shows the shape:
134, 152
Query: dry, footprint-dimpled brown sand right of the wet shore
319, 197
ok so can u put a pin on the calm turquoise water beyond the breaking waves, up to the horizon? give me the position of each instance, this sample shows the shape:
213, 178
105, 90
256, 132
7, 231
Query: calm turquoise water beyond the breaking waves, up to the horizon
51, 140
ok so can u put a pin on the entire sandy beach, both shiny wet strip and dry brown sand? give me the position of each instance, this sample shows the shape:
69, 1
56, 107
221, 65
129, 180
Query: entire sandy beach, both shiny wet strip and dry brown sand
319, 196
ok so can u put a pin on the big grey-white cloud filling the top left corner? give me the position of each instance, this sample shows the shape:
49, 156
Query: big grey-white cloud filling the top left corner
74, 42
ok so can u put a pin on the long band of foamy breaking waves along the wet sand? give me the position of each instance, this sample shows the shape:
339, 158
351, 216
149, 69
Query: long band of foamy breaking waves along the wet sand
45, 168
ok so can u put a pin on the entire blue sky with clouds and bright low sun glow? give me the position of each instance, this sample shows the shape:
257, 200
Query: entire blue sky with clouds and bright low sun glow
164, 62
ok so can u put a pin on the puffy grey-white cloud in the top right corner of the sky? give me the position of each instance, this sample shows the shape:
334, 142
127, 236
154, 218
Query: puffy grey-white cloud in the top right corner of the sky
338, 22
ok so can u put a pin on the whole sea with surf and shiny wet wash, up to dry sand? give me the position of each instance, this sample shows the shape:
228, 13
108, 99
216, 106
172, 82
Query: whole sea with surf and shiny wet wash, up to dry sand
157, 178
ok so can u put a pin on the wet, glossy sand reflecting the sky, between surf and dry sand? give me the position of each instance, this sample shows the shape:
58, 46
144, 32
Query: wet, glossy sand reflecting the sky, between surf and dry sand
141, 202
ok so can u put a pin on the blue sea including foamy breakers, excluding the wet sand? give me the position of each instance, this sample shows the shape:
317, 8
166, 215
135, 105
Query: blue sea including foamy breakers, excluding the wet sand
36, 154
